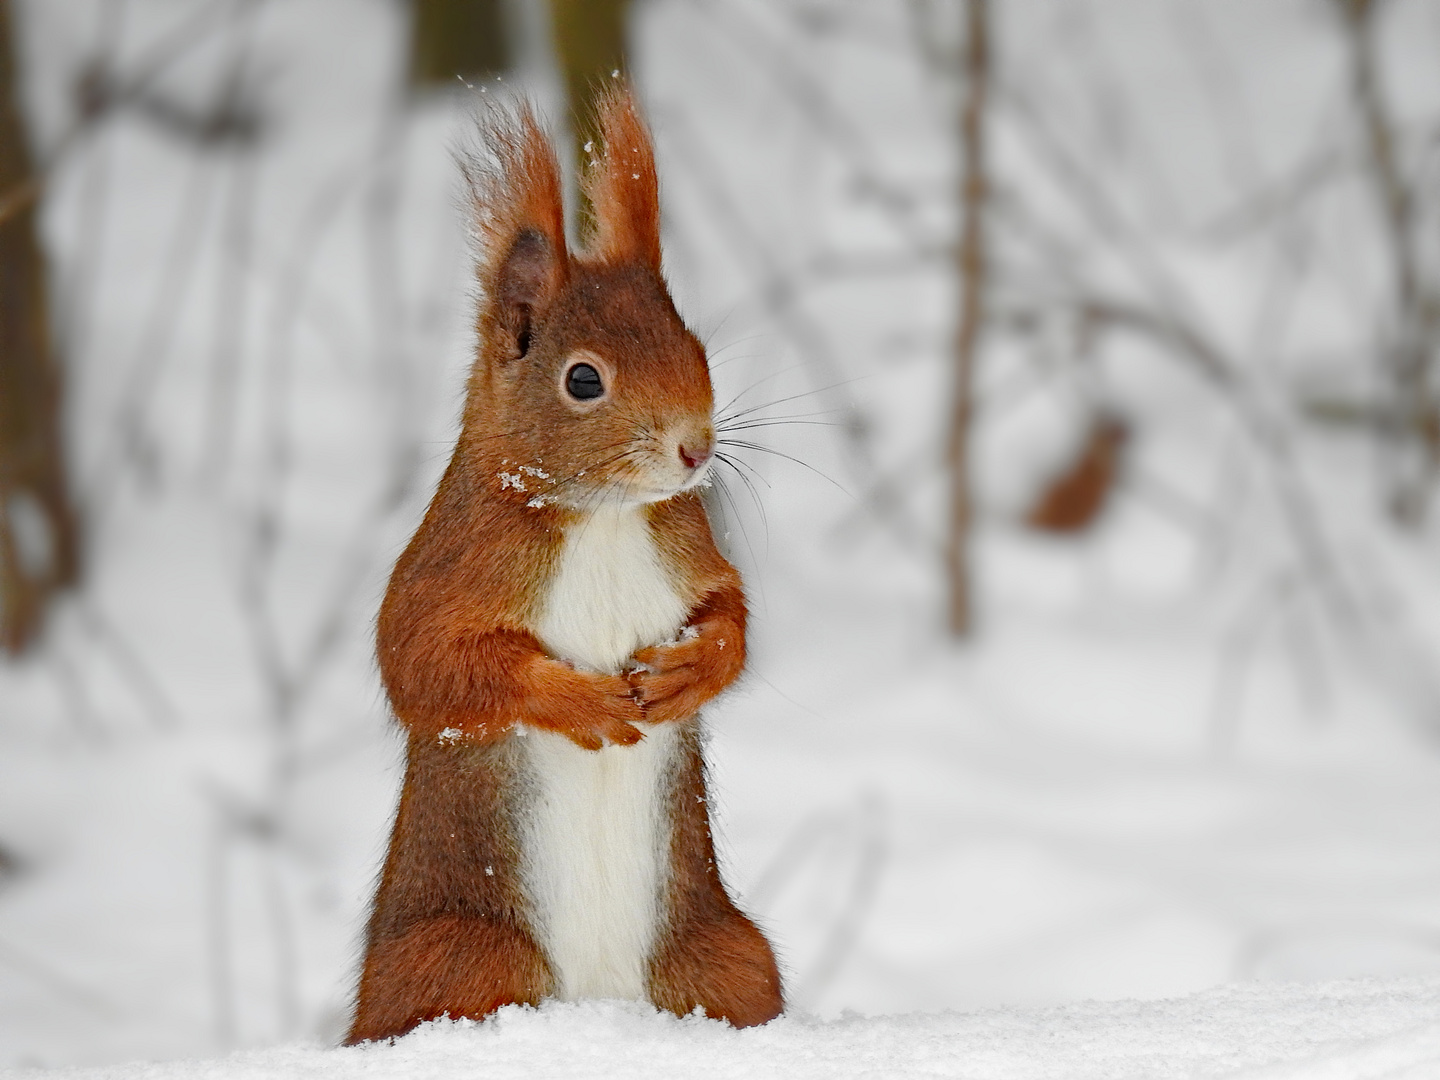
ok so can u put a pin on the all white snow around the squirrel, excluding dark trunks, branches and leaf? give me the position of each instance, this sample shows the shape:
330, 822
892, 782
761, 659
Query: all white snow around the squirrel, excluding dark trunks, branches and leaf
1158, 770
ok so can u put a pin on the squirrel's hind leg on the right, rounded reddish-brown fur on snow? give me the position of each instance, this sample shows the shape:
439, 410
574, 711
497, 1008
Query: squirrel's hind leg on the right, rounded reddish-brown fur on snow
724, 966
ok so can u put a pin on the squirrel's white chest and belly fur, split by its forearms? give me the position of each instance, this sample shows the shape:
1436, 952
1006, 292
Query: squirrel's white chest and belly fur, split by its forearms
597, 833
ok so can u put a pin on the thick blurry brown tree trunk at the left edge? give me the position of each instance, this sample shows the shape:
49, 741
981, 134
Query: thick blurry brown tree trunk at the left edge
38, 545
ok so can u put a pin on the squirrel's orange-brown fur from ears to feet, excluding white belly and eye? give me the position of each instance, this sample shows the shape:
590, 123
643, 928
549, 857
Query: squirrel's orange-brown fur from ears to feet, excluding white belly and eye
459, 653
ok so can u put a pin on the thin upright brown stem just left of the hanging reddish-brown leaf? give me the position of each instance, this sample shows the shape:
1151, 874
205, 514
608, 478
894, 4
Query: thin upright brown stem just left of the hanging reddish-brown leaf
970, 266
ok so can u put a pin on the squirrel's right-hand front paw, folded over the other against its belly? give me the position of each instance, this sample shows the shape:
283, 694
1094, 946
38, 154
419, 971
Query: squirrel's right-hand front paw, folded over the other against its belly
675, 680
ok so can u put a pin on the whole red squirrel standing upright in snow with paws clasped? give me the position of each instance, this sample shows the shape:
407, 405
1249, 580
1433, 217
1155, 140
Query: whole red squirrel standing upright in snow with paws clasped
554, 629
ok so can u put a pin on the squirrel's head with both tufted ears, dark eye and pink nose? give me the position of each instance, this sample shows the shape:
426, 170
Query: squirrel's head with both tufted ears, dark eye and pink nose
587, 387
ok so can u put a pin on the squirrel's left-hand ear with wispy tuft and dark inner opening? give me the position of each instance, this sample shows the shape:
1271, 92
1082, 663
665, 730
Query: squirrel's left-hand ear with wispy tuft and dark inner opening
521, 227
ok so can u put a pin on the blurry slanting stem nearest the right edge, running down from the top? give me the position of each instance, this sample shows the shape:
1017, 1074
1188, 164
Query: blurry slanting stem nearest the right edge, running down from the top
1412, 339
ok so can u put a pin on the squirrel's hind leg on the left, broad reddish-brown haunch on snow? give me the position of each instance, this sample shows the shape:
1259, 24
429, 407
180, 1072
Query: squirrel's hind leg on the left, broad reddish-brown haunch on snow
447, 966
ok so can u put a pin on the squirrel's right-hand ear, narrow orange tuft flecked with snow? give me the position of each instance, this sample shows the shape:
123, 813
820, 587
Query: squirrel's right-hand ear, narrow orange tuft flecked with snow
621, 185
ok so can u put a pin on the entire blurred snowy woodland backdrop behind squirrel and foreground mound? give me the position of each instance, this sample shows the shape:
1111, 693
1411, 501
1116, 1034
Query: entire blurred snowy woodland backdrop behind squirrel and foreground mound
1088, 356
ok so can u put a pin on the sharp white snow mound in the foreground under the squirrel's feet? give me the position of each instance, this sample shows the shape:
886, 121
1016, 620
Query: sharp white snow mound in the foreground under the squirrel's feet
1334, 1032
